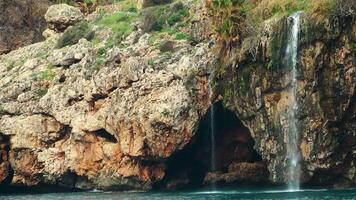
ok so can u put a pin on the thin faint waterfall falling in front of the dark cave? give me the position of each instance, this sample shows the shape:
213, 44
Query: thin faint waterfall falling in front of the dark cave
212, 132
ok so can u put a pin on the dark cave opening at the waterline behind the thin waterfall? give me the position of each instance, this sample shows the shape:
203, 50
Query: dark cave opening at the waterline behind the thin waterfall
233, 144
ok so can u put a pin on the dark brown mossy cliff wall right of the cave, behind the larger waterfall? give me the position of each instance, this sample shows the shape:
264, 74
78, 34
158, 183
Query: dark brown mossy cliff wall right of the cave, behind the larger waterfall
258, 93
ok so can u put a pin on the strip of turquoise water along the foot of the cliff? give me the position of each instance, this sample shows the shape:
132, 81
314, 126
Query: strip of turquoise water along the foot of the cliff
196, 195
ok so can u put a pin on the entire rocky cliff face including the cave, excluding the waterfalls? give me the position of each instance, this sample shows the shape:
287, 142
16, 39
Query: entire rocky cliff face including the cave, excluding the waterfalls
99, 107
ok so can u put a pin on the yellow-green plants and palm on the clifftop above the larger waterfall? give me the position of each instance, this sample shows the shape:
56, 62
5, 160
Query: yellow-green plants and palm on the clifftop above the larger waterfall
234, 20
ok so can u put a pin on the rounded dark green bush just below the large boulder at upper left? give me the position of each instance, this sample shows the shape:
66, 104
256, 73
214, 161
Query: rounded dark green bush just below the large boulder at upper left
73, 34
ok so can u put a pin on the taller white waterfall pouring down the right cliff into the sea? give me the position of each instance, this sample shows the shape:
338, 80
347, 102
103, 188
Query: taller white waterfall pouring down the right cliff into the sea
293, 154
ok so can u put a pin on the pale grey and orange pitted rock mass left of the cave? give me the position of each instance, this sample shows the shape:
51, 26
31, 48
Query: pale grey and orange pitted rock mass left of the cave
89, 116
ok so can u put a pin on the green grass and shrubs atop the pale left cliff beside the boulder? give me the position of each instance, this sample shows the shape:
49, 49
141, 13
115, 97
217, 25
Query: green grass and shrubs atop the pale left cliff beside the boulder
165, 22
